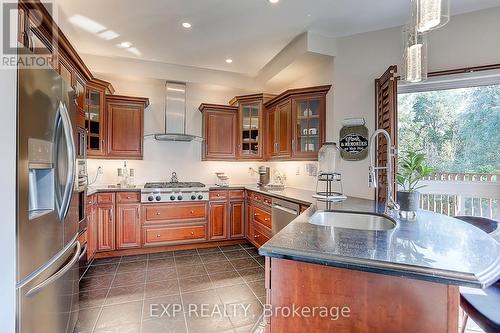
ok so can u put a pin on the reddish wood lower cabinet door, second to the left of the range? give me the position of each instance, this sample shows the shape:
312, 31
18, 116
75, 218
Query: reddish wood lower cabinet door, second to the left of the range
105, 227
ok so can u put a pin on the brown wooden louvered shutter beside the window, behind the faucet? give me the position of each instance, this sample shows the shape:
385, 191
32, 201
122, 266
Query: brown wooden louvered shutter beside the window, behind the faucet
386, 92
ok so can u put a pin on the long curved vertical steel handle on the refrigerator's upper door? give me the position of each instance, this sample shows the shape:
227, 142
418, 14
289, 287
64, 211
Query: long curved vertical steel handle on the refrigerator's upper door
70, 146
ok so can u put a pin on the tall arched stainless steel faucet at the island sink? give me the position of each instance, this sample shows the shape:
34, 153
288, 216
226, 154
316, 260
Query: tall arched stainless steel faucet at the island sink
390, 203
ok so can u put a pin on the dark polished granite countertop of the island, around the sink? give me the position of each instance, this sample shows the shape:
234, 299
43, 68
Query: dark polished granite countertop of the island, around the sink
433, 247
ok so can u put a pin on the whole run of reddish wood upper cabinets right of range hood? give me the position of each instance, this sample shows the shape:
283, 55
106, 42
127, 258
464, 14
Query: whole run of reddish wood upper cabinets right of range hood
290, 126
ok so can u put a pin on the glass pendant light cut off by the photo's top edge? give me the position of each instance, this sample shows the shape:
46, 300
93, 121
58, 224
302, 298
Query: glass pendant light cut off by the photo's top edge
429, 15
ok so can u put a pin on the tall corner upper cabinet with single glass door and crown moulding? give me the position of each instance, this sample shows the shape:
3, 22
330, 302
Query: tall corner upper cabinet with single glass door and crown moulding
250, 125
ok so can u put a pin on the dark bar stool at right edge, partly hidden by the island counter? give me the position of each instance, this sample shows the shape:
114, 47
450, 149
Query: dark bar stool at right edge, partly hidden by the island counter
483, 306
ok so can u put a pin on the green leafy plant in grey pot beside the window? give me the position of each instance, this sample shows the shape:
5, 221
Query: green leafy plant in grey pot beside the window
412, 169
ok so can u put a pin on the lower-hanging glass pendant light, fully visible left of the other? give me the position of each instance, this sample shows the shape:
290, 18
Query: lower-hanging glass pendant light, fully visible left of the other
414, 55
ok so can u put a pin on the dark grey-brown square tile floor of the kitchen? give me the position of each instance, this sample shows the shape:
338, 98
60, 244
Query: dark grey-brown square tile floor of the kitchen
218, 289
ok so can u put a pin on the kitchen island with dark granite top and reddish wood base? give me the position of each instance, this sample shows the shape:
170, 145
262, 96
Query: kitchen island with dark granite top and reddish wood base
400, 280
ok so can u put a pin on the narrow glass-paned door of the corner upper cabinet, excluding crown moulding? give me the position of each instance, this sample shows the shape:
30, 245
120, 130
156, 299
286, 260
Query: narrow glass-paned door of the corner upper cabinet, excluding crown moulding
250, 131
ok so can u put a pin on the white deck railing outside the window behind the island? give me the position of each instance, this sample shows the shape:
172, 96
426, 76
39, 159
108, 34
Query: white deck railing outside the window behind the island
462, 194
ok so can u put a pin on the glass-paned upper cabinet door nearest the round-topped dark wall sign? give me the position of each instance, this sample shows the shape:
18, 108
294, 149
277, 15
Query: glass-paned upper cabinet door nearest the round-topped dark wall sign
308, 118
